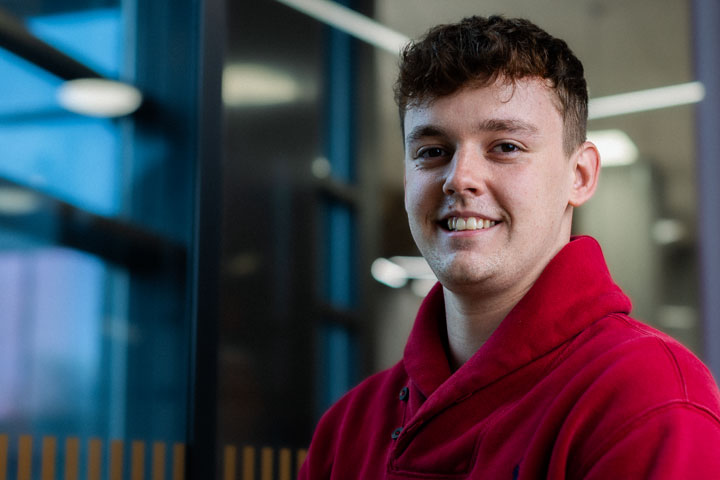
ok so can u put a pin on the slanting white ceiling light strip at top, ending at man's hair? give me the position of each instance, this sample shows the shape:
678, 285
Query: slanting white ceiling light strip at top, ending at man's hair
351, 22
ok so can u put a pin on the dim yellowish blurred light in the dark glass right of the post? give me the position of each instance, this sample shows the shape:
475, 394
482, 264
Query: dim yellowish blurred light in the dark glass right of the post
258, 85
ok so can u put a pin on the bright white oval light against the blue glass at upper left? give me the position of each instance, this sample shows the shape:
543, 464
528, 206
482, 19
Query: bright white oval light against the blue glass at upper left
96, 97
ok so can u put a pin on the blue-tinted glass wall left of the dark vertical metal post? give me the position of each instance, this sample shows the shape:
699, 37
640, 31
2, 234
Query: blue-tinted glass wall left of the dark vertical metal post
96, 230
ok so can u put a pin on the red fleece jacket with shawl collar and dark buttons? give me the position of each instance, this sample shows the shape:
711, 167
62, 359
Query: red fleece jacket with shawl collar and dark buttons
567, 387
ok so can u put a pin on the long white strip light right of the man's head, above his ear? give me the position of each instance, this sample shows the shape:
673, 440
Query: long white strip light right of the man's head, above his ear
644, 100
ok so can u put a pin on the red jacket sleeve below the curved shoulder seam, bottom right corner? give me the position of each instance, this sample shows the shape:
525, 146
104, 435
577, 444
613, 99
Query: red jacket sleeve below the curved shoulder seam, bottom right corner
678, 440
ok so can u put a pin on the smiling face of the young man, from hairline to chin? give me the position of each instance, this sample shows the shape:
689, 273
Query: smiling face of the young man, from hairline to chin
487, 184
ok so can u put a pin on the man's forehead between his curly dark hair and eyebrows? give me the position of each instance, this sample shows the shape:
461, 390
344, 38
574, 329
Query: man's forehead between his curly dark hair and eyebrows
524, 104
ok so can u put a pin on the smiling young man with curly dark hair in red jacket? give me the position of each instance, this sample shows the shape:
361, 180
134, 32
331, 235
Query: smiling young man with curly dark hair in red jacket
523, 362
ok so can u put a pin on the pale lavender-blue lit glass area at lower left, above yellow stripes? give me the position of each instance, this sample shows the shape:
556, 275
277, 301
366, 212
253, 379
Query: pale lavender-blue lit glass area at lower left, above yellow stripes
51, 334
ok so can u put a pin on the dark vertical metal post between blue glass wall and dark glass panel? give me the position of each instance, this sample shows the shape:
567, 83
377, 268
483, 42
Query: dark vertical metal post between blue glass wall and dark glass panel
202, 437
